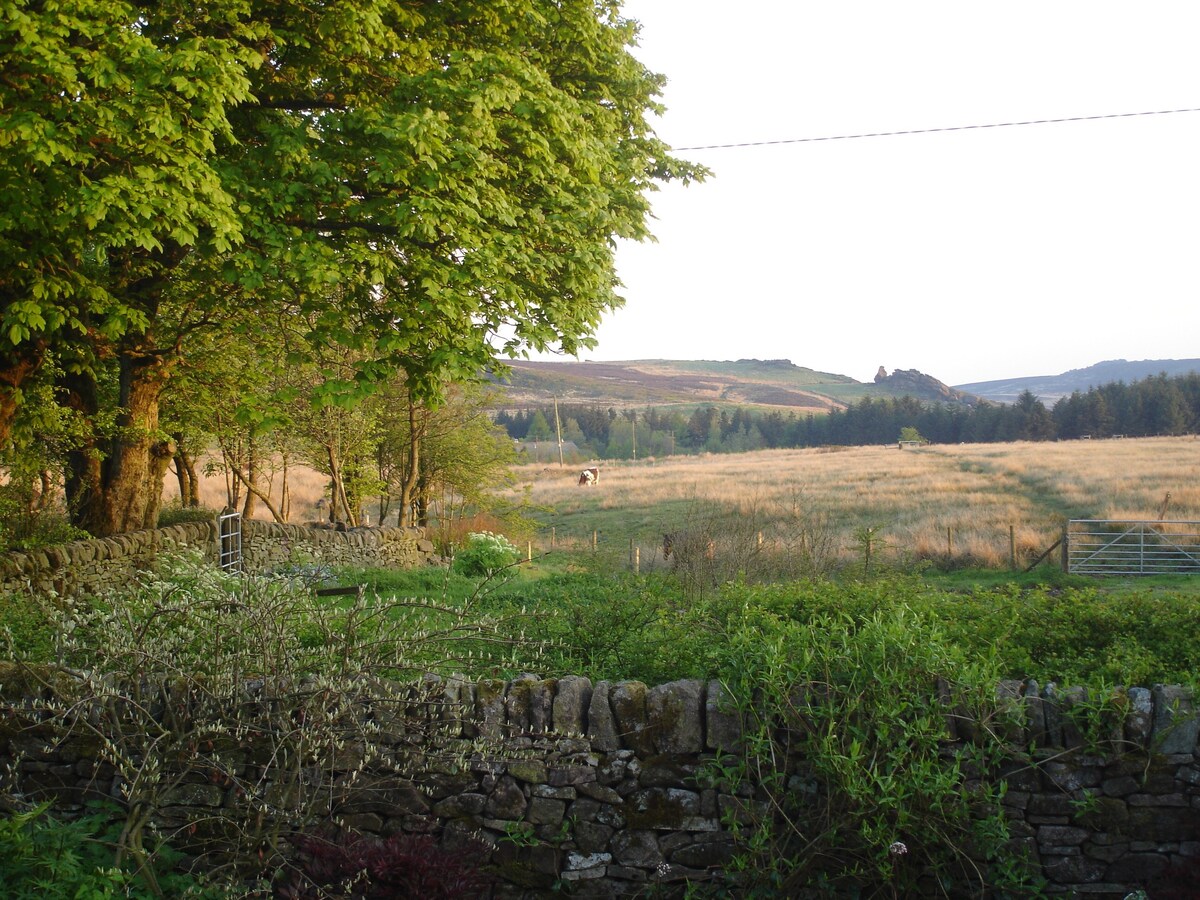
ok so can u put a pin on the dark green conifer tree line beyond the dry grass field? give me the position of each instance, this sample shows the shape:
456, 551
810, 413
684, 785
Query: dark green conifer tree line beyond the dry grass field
1160, 405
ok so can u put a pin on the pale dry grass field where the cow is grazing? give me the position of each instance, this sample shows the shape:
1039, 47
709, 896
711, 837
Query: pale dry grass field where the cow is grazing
941, 502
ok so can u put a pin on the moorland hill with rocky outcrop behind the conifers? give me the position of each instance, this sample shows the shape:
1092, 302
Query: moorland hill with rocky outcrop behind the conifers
748, 383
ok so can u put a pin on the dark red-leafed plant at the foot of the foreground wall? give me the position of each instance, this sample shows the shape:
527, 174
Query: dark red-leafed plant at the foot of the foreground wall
364, 868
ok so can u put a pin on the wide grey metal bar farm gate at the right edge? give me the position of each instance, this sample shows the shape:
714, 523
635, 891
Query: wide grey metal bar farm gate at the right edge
1106, 547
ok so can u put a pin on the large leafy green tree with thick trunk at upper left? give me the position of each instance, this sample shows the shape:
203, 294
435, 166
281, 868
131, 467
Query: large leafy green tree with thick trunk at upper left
424, 185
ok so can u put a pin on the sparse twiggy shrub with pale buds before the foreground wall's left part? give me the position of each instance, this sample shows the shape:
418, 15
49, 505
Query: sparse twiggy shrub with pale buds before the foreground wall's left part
182, 679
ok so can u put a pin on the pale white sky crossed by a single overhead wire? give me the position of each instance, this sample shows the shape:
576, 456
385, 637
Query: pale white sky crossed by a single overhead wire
971, 256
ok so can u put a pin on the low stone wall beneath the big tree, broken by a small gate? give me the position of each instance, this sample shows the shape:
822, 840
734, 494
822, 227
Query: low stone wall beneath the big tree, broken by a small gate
93, 567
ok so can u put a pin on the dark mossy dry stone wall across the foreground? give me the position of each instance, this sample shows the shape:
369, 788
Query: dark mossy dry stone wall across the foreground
601, 789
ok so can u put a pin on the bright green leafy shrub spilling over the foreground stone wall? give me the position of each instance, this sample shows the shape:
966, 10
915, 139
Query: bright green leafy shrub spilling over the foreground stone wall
845, 737
